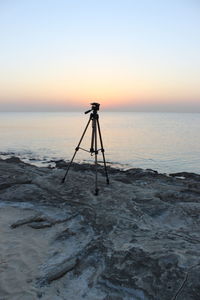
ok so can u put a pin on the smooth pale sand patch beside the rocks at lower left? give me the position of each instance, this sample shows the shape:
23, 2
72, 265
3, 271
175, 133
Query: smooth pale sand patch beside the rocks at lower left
21, 253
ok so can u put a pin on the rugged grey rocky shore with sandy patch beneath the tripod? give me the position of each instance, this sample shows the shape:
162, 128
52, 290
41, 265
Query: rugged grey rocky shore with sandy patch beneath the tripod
138, 239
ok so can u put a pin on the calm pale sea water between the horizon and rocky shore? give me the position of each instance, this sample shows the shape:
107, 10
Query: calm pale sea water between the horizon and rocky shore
167, 142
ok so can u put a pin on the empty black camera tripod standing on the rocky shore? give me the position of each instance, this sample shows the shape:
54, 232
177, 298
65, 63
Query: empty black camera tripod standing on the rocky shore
94, 117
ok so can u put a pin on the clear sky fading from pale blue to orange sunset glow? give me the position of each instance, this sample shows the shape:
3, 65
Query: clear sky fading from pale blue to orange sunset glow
60, 55
